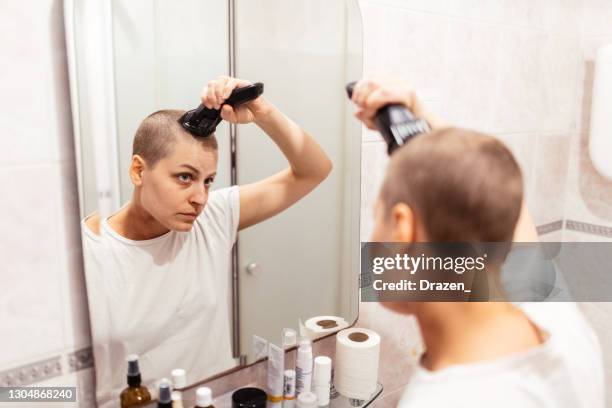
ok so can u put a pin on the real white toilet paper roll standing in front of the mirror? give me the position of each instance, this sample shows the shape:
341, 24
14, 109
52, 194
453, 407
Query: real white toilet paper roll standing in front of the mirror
357, 354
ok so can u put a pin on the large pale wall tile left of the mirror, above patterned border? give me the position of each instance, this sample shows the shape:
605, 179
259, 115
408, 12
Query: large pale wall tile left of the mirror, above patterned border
31, 270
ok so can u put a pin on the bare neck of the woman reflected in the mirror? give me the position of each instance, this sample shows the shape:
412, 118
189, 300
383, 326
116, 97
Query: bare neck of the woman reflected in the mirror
134, 222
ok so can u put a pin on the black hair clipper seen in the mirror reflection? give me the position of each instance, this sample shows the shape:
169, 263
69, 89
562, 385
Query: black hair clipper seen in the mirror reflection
203, 121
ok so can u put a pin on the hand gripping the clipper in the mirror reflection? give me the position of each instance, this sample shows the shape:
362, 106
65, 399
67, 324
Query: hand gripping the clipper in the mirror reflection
216, 92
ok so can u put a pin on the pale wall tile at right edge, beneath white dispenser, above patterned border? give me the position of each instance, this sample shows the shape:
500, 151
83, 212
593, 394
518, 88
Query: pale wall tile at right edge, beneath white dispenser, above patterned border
589, 194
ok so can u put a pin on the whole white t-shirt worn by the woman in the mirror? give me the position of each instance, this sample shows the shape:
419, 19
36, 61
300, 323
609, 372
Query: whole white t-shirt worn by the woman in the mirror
166, 299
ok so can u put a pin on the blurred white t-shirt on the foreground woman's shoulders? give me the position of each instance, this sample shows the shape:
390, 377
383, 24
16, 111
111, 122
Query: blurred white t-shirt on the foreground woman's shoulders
566, 371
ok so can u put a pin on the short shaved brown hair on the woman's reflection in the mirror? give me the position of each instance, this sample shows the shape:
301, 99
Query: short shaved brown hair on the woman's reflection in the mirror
158, 132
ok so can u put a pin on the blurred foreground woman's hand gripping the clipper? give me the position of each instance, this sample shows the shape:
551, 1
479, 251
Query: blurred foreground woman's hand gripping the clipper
370, 94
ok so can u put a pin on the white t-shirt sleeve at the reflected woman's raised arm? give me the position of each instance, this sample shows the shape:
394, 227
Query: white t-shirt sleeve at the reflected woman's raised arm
223, 211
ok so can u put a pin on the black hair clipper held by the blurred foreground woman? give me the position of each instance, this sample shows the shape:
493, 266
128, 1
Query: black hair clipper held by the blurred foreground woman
396, 124
